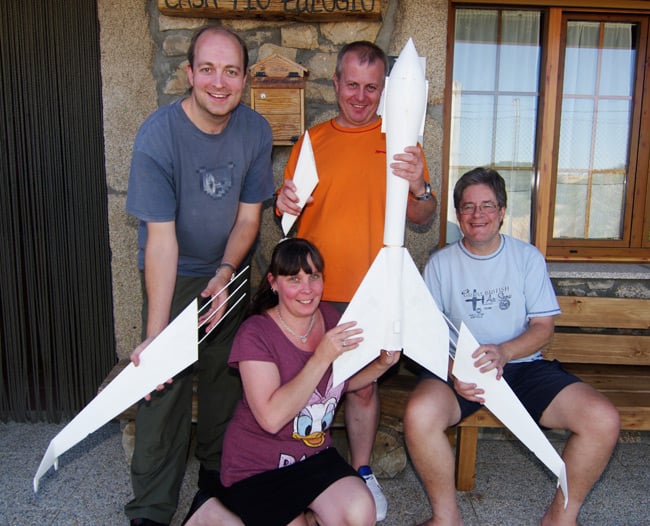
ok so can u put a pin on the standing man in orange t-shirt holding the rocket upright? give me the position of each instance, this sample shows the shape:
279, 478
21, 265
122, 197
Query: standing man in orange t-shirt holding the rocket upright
344, 217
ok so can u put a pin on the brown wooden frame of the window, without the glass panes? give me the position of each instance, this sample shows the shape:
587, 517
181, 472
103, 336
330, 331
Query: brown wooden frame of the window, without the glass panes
636, 245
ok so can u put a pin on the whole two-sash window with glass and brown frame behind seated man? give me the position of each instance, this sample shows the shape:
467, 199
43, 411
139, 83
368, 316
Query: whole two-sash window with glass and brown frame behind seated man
554, 101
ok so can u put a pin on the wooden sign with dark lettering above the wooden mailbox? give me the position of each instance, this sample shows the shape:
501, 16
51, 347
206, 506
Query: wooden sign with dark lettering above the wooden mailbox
303, 10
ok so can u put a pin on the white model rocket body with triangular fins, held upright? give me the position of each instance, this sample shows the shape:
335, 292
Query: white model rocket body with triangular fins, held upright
393, 304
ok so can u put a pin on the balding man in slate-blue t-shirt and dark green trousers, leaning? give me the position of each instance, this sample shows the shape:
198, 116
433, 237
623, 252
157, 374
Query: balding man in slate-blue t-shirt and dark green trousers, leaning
201, 169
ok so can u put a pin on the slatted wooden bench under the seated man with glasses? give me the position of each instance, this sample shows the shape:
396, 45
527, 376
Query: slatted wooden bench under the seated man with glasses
605, 341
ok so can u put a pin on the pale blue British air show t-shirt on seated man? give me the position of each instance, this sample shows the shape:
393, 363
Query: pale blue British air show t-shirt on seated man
494, 295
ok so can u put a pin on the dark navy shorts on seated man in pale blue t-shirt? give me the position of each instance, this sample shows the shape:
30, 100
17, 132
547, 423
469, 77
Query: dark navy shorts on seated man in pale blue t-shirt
535, 383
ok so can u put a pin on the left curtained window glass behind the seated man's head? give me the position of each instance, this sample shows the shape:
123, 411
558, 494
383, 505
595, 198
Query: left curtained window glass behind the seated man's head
493, 124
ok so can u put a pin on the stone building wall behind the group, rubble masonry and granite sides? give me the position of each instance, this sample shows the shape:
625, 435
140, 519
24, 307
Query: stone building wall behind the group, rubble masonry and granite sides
143, 62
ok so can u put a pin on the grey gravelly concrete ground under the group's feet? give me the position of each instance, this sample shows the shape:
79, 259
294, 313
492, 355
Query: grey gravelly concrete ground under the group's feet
512, 486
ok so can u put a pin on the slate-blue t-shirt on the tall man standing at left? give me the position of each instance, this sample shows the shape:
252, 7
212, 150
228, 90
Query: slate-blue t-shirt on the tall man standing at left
181, 174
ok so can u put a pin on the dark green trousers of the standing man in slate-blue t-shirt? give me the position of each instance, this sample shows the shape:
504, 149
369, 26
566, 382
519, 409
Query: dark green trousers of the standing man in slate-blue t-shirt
163, 425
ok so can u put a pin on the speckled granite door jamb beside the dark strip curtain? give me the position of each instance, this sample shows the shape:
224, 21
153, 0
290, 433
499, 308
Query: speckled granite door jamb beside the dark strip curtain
129, 95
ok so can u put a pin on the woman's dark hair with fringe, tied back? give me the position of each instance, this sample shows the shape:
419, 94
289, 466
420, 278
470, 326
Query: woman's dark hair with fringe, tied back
289, 257
